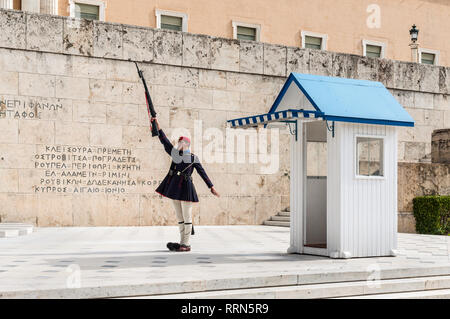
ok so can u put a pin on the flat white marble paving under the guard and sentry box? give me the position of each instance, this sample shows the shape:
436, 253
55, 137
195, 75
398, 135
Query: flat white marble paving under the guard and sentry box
59, 258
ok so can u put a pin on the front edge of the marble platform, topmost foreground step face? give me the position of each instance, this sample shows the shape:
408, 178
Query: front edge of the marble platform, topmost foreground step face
257, 281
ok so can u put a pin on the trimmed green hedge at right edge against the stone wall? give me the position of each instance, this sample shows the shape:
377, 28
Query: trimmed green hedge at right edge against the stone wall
432, 214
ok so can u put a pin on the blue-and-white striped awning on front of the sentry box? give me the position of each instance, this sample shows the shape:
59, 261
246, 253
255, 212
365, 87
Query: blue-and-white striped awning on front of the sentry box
256, 120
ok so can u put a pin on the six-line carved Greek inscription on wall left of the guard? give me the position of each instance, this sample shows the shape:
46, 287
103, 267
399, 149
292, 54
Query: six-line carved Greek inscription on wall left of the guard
84, 169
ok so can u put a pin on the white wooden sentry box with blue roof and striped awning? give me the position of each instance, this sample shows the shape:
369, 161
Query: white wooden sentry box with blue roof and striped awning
343, 164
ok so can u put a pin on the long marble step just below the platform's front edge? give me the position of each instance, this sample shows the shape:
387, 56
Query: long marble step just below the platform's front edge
324, 290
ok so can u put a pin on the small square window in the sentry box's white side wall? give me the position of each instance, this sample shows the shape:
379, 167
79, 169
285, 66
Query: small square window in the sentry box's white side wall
369, 155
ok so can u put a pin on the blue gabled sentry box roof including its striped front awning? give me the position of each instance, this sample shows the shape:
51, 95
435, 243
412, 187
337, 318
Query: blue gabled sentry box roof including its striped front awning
333, 99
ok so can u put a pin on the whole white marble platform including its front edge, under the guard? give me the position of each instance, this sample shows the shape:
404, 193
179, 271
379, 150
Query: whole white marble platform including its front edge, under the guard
102, 262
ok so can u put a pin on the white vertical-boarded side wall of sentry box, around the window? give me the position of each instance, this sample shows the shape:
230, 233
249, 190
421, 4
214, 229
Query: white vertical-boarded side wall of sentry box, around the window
362, 212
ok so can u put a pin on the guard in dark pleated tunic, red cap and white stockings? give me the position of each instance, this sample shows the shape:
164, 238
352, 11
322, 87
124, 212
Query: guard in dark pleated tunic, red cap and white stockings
178, 186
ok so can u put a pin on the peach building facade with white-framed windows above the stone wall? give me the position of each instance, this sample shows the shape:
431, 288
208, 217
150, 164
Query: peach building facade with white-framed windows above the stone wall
364, 27
